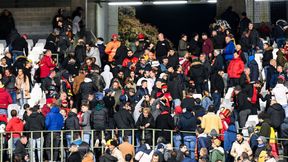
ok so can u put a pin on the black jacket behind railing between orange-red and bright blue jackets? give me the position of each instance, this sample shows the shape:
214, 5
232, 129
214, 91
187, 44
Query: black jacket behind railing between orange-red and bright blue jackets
35, 122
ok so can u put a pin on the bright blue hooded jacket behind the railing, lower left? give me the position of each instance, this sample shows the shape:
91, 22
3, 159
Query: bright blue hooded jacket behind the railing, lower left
54, 120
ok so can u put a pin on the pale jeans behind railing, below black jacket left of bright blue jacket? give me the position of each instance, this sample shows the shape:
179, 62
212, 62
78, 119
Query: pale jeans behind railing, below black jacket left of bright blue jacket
36, 144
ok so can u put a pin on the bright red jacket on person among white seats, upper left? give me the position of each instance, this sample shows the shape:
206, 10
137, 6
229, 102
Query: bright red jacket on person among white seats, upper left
46, 64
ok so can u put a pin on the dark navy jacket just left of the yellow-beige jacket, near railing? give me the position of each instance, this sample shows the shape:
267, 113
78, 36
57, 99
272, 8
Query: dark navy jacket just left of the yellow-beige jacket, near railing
187, 122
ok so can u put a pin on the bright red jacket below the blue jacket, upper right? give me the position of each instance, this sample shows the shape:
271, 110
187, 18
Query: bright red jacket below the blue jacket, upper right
235, 68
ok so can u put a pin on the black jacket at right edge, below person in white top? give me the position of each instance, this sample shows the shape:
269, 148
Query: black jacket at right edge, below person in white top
277, 115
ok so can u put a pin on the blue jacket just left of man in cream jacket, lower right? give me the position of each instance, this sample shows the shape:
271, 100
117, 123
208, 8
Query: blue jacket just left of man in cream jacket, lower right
230, 137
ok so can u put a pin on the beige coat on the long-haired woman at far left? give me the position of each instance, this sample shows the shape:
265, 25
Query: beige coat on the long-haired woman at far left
23, 86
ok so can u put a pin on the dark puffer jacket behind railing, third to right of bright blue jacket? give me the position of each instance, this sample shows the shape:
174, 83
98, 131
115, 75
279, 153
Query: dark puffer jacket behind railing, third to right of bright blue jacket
99, 117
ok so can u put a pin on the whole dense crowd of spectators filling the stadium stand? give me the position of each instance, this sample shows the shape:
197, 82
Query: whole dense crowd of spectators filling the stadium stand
93, 87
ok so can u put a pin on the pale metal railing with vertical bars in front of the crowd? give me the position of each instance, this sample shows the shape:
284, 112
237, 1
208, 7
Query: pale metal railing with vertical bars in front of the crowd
63, 149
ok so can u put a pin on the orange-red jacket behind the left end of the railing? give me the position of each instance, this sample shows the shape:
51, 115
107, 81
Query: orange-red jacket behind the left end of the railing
15, 125
